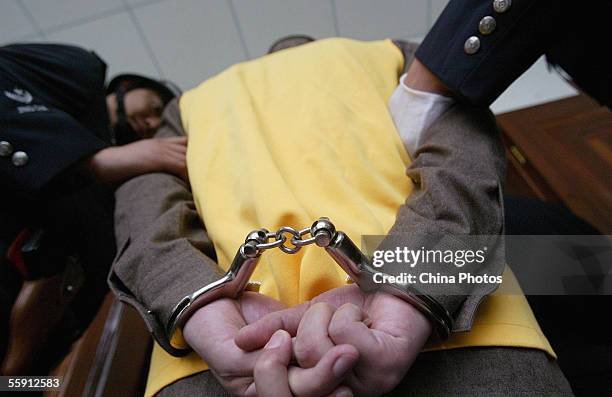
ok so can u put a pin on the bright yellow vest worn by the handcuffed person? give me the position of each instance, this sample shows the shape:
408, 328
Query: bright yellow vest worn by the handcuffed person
300, 134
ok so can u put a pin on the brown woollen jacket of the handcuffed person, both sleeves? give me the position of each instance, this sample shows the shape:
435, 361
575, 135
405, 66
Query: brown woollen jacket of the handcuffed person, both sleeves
164, 252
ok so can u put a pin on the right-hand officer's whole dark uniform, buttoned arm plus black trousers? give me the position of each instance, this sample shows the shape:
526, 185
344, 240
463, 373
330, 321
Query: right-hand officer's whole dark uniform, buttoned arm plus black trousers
478, 48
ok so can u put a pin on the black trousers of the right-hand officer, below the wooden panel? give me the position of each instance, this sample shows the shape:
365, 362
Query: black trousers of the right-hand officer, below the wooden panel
583, 344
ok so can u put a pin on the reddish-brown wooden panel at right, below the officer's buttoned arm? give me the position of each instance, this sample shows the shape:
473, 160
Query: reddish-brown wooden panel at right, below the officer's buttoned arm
568, 144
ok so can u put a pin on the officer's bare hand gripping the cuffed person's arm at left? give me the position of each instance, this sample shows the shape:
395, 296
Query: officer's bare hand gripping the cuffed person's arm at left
116, 164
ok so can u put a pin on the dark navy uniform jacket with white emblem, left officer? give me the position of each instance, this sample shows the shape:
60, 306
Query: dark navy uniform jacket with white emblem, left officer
52, 110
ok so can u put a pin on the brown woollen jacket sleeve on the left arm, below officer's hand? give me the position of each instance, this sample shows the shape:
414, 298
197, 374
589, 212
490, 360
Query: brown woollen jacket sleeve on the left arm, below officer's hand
164, 251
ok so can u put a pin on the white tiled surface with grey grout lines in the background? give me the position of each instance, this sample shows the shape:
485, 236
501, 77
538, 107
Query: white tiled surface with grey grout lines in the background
188, 41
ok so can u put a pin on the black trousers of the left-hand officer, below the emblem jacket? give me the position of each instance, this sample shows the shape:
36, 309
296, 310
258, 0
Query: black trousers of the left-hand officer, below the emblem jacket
78, 224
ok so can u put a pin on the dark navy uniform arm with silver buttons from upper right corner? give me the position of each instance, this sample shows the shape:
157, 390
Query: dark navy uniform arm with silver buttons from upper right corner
479, 47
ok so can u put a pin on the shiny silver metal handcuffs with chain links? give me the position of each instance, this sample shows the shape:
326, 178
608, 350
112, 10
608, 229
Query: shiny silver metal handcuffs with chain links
323, 233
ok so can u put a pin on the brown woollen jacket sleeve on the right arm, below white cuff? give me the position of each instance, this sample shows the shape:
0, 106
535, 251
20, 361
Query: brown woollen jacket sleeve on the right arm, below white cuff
456, 204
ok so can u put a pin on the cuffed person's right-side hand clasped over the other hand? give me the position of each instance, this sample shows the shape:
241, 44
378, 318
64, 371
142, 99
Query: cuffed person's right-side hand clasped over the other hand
387, 332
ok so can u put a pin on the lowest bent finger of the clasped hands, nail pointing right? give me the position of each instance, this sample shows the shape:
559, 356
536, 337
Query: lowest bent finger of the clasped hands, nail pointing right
324, 378
